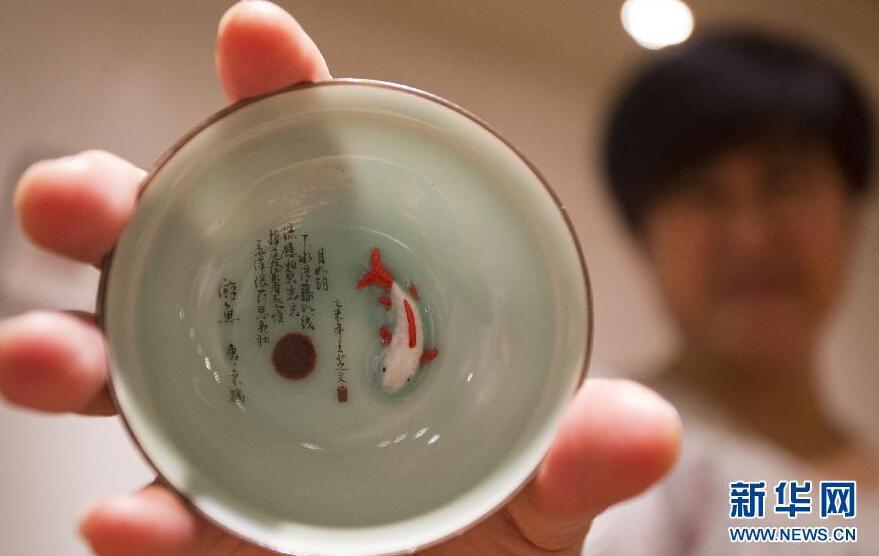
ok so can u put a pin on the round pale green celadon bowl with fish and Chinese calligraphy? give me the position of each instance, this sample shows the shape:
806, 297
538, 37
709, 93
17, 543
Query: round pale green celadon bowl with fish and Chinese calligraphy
345, 319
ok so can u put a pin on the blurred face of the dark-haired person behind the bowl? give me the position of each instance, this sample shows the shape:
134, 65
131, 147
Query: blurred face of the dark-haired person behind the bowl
750, 251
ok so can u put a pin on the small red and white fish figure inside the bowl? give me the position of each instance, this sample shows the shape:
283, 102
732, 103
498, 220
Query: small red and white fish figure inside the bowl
405, 345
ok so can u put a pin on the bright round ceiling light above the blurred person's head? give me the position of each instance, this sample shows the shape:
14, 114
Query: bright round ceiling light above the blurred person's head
657, 23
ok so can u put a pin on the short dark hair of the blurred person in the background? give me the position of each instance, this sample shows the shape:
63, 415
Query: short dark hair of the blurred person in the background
723, 90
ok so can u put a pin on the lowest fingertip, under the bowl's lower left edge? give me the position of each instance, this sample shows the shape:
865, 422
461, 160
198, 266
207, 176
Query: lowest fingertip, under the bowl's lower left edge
155, 522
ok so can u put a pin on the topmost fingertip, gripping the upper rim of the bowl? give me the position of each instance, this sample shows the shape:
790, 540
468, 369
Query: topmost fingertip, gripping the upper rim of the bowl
261, 48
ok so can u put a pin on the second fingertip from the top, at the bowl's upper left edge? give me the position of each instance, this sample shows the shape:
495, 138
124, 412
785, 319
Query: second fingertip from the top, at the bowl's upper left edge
77, 205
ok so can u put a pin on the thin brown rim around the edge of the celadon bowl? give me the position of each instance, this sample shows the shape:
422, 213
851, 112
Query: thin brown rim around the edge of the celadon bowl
156, 167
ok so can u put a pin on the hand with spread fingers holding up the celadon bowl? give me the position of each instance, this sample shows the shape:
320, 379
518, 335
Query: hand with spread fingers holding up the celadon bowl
616, 440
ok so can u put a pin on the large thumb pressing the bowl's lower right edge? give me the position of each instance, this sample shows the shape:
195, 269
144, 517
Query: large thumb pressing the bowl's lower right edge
617, 439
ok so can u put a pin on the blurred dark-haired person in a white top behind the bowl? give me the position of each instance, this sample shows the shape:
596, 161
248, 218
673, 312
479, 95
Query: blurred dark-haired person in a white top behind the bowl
738, 161
